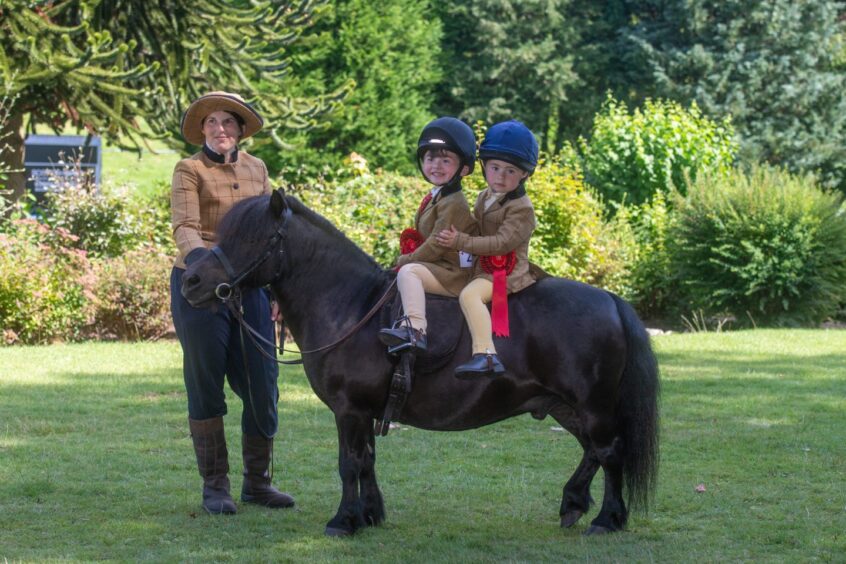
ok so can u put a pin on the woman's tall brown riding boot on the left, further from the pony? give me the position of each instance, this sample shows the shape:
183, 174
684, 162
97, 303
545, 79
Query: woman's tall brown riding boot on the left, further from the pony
213, 463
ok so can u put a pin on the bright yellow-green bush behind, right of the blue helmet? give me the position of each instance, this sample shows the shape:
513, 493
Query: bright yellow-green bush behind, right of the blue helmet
630, 157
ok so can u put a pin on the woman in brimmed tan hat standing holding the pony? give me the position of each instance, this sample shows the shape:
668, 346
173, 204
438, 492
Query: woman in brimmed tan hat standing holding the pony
205, 186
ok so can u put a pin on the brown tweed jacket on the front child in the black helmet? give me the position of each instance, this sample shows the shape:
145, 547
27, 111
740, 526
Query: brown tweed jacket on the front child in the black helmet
443, 263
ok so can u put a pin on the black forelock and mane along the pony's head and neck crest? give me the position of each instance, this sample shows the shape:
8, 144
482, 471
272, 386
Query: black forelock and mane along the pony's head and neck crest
253, 212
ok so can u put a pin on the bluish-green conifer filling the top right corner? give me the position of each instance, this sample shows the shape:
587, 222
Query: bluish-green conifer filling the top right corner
773, 65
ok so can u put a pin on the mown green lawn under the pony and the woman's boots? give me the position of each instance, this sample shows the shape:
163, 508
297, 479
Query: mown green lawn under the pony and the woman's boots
96, 464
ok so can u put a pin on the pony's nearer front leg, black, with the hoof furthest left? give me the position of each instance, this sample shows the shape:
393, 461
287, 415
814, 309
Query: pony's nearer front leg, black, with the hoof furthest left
355, 434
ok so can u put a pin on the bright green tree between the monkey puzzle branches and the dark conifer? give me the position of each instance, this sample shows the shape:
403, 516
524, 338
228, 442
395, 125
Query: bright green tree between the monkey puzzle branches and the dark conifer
394, 61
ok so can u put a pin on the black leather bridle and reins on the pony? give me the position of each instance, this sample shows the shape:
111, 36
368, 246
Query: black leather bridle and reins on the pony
228, 293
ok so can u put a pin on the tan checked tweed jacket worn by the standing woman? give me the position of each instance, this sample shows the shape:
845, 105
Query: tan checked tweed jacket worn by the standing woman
203, 191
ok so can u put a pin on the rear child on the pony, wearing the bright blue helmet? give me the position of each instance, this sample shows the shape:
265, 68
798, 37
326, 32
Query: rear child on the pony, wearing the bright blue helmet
506, 219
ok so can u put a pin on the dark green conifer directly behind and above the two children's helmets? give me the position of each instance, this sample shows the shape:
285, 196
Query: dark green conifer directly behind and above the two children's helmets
507, 59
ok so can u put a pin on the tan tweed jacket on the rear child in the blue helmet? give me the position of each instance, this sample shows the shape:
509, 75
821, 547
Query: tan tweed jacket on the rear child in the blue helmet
506, 226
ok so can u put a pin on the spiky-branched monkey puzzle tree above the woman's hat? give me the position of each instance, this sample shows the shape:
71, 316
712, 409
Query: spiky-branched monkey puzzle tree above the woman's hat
102, 64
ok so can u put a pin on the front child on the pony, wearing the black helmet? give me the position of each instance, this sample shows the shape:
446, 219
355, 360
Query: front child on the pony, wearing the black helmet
446, 152
